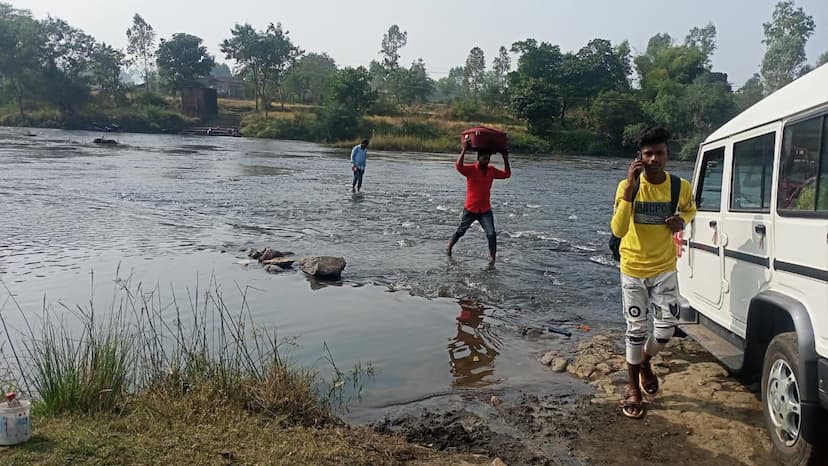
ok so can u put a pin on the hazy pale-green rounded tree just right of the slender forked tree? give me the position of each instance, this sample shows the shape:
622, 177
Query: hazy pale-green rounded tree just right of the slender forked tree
309, 80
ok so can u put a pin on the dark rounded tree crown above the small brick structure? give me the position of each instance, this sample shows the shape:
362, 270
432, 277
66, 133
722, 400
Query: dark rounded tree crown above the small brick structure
183, 61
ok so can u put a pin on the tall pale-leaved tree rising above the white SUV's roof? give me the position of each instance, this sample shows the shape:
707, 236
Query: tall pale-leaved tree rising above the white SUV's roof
785, 37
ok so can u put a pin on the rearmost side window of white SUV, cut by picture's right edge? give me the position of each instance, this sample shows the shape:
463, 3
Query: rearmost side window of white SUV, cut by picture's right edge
803, 179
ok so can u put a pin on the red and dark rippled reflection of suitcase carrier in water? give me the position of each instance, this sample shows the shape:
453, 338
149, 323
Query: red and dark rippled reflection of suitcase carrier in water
473, 349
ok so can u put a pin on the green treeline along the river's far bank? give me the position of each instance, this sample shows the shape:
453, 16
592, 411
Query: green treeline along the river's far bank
593, 100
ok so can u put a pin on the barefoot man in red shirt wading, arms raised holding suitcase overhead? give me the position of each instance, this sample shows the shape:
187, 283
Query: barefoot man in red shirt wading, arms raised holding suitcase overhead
479, 178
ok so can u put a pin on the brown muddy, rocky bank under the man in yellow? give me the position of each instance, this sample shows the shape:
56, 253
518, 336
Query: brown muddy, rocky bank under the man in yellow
700, 416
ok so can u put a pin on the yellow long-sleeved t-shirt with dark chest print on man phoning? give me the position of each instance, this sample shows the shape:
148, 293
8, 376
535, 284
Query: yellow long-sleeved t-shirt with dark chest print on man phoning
647, 249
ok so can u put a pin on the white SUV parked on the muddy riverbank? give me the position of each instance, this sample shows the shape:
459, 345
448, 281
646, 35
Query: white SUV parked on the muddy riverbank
754, 272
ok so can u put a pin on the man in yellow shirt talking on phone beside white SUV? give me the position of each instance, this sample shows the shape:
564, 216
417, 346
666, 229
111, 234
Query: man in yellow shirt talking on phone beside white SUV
645, 220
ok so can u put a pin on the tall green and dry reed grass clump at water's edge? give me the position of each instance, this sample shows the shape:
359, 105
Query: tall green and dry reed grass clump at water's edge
202, 353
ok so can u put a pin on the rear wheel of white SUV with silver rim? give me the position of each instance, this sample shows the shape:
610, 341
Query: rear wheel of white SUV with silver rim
781, 401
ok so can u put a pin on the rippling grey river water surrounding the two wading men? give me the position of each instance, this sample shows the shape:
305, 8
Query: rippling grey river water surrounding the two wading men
176, 213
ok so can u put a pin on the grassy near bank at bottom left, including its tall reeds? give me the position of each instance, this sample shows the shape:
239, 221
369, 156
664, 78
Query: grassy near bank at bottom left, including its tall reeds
151, 382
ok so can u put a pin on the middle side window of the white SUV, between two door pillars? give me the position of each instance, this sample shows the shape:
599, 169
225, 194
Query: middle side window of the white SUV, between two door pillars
752, 173
